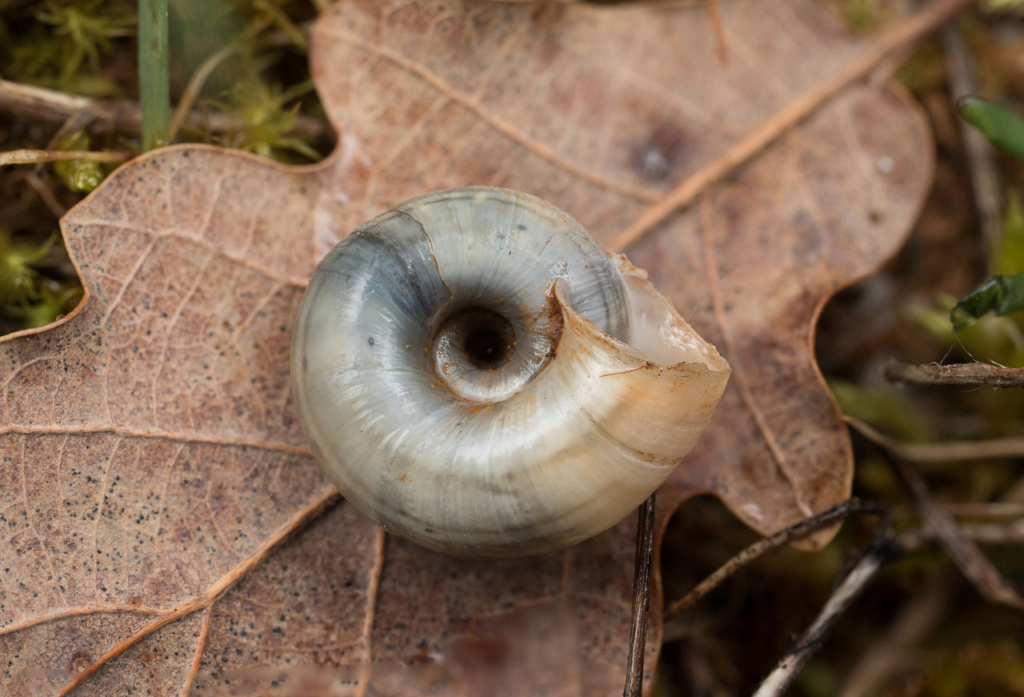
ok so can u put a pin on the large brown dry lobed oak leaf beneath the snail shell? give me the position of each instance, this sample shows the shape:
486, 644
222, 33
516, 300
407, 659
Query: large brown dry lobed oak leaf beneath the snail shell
165, 531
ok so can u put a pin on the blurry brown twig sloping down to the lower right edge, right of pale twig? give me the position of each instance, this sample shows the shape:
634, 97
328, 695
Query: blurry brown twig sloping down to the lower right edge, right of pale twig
972, 562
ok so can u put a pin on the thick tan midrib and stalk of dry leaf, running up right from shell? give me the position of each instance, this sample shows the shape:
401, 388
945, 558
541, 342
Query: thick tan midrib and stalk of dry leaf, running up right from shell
894, 40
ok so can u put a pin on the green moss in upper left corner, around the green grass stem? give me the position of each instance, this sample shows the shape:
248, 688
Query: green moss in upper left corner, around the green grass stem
89, 48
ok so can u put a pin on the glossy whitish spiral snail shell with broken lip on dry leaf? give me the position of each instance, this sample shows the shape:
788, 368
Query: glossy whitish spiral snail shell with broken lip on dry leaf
477, 375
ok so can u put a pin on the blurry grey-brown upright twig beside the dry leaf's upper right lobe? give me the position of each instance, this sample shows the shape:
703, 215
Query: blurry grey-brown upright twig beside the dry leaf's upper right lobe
978, 152
